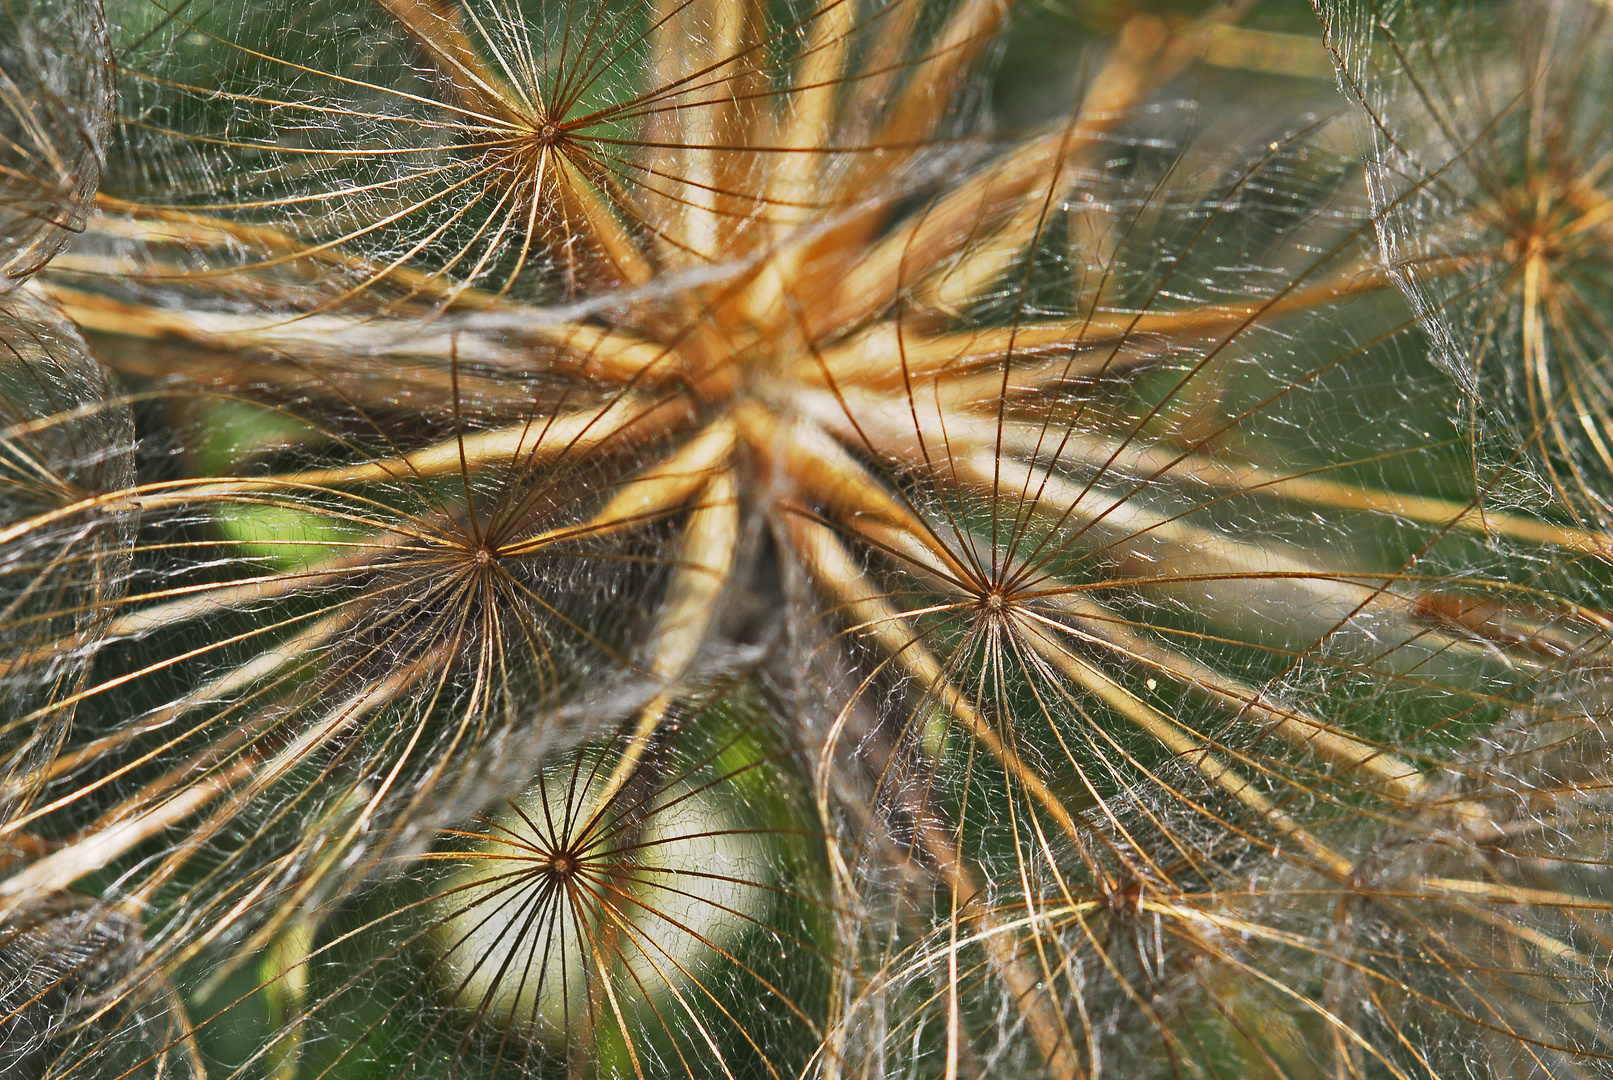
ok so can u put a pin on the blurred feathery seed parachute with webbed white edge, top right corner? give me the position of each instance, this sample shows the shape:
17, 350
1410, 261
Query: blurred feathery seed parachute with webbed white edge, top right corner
1496, 199
